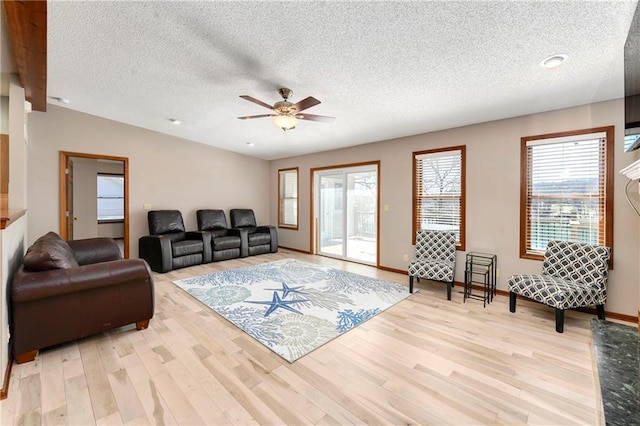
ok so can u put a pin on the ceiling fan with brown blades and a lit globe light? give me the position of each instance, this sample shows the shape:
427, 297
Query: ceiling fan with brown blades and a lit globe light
287, 114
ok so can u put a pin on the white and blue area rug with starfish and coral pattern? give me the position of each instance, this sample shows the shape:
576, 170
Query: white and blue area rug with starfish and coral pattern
293, 307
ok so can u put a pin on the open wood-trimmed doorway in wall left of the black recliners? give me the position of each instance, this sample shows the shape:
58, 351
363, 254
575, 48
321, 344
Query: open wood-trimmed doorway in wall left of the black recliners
94, 197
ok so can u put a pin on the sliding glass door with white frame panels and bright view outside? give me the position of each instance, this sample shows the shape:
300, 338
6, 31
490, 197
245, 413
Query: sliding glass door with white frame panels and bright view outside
346, 210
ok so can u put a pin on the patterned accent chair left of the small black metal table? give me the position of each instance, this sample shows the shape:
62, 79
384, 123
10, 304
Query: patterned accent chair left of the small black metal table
435, 258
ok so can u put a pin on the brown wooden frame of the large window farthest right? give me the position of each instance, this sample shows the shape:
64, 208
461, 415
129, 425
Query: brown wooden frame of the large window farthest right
608, 185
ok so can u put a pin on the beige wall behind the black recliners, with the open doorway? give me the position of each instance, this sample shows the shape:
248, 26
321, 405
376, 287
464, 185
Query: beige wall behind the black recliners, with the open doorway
165, 171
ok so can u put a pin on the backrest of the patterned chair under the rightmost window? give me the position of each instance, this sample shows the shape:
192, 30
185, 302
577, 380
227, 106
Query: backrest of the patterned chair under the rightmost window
577, 262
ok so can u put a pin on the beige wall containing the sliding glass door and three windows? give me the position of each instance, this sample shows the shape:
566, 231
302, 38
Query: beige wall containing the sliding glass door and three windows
493, 197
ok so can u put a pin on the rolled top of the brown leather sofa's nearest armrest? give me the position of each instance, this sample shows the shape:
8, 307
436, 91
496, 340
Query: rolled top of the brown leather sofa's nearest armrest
29, 286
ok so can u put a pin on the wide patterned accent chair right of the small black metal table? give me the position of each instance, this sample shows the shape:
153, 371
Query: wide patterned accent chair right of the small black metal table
573, 275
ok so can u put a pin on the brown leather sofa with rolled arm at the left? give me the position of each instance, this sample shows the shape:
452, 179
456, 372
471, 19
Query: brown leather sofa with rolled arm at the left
68, 290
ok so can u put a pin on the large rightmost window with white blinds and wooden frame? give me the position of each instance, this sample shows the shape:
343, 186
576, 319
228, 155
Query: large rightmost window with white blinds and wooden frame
566, 190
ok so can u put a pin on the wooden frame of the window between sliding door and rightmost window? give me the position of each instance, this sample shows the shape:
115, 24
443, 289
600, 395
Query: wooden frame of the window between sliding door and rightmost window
461, 244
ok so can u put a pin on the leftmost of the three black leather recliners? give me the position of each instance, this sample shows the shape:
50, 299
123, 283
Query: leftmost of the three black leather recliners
169, 246
